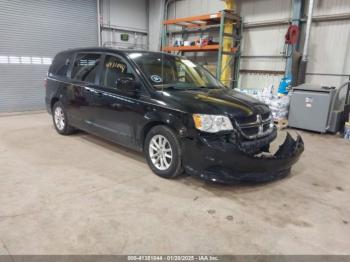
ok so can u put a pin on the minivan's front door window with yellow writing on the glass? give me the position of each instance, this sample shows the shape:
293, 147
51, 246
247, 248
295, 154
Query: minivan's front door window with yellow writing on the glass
114, 68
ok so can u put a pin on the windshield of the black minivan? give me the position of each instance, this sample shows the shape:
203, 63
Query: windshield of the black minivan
174, 72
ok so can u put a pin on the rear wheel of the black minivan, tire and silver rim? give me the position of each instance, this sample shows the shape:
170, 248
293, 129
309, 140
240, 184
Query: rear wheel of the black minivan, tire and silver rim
60, 120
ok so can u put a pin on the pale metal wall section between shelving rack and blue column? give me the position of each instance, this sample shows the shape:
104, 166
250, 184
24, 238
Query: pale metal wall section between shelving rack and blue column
263, 41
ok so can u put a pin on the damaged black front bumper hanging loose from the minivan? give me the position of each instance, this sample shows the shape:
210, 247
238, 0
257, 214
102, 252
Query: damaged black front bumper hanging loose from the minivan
225, 162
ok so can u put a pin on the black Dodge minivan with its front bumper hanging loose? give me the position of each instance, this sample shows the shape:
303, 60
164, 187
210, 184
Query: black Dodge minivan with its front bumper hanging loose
175, 111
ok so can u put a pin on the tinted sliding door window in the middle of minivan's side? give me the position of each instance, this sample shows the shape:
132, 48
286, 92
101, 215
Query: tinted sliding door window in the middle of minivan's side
85, 67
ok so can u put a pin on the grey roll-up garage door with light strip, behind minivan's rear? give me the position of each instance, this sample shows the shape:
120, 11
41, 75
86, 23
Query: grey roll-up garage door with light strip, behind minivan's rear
31, 33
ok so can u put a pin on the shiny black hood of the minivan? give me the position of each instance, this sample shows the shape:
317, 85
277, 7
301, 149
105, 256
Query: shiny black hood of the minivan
214, 101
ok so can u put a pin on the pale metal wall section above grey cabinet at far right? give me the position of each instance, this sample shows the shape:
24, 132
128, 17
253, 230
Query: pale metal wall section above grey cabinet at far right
330, 44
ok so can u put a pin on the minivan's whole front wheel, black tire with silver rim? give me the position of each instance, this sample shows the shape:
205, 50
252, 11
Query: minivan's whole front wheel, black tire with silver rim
166, 139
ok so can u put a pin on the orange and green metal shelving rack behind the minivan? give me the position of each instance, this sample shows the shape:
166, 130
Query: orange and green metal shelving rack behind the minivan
218, 21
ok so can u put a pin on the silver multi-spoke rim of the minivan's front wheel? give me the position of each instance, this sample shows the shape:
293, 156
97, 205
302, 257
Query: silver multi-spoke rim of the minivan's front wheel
160, 152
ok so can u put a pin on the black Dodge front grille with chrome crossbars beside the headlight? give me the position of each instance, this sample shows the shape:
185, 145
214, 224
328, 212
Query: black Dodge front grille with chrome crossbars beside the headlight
254, 126
